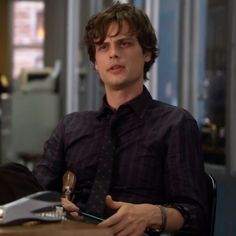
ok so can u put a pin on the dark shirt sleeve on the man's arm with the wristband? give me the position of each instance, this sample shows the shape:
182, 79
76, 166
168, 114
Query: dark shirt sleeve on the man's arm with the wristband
184, 175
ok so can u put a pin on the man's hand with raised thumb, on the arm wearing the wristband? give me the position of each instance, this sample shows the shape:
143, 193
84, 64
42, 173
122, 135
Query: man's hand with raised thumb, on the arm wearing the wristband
129, 220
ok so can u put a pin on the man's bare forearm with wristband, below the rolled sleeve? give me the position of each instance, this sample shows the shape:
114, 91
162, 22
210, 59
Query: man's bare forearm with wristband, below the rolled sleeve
173, 222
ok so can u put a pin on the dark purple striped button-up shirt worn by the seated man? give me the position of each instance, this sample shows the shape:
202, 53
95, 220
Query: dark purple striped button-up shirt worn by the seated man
157, 159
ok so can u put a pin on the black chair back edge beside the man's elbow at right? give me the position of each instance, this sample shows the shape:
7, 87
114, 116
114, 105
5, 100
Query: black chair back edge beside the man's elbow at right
211, 198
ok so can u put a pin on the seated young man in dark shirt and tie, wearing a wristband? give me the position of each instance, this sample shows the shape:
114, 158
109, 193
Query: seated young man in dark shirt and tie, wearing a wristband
156, 174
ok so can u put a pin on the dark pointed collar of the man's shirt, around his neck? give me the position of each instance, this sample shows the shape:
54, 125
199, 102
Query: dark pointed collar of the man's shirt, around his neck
139, 105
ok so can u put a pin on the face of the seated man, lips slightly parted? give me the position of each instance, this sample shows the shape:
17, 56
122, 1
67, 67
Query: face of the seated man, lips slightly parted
120, 59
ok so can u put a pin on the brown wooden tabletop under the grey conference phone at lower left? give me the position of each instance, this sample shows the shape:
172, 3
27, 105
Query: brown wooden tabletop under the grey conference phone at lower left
64, 228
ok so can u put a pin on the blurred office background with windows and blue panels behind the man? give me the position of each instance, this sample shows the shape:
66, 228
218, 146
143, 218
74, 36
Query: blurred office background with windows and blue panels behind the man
45, 74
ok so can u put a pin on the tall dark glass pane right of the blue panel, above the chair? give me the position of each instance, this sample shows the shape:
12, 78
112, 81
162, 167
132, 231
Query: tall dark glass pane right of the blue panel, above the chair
213, 126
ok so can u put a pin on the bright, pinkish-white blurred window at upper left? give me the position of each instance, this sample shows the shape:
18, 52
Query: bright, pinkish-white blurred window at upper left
28, 35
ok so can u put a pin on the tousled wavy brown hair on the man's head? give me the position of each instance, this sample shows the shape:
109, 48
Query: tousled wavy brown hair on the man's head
139, 24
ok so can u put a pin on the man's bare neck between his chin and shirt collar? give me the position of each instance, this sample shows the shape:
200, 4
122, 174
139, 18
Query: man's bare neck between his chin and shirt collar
115, 98
